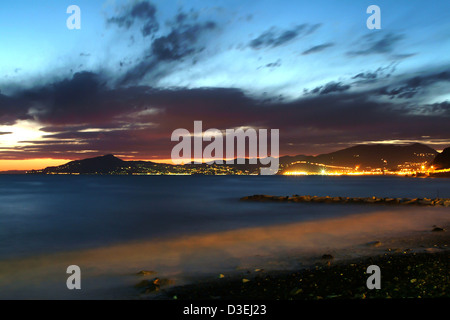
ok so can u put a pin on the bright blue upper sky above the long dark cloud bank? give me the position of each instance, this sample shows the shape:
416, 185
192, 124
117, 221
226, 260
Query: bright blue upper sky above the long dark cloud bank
38, 43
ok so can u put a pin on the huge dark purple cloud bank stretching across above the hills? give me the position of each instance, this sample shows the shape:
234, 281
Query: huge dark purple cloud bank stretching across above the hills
138, 121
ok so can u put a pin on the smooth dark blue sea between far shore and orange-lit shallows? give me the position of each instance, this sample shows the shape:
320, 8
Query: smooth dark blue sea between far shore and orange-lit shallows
43, 214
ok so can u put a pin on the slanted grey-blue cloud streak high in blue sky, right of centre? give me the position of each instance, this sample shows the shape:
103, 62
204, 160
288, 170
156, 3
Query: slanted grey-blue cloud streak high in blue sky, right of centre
274, 38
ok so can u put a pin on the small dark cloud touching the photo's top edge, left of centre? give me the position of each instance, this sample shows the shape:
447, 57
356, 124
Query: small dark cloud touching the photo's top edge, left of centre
144, 12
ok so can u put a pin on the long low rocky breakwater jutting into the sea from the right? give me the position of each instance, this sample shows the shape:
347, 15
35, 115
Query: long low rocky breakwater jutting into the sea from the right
444, 202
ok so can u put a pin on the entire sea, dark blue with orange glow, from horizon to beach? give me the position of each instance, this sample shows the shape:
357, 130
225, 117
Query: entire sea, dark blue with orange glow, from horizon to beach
183, 225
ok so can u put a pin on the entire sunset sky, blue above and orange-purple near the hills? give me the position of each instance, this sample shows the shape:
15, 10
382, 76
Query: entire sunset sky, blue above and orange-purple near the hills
138, 70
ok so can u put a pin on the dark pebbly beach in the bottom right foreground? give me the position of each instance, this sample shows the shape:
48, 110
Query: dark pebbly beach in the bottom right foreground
410, 273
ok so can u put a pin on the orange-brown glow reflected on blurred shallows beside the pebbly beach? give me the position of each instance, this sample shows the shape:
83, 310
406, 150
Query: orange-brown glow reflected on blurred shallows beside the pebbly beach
109, 272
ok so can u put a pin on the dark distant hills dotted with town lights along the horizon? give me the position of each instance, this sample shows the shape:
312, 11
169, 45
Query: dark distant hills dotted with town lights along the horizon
363, 156
